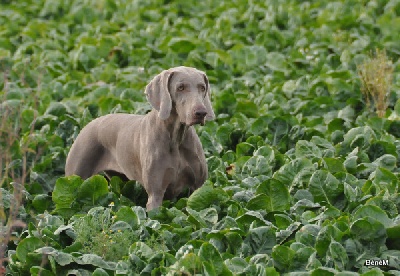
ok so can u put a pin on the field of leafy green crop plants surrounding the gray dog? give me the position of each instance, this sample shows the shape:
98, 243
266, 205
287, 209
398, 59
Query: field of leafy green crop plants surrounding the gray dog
303, 173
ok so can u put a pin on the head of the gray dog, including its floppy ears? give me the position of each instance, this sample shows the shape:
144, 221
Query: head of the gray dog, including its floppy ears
184, 90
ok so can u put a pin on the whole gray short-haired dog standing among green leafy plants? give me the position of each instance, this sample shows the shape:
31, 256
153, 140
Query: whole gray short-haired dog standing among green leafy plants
161, 149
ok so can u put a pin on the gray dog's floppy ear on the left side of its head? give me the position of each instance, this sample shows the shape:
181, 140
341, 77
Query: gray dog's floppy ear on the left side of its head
157, 93
